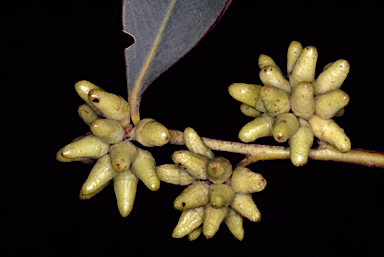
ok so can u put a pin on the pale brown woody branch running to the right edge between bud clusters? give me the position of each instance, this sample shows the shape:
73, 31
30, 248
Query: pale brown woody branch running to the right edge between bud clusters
256, 152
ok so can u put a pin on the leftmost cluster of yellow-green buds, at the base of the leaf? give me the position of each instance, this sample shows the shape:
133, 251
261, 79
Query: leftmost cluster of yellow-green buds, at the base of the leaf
108, 116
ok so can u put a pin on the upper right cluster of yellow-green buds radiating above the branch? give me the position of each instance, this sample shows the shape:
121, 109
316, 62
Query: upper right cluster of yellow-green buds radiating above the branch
312, 102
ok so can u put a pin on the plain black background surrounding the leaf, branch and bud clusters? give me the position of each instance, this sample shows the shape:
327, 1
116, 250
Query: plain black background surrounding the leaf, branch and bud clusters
321, 209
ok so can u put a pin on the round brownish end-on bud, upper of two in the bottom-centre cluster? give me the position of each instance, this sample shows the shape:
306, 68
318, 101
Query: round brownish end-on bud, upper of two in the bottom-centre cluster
219, 170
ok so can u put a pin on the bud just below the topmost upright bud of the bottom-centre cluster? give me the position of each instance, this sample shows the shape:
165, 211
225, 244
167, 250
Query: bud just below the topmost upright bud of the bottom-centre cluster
194, 164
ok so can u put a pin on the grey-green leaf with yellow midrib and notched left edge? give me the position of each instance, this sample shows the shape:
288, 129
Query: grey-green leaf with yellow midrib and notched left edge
164, 31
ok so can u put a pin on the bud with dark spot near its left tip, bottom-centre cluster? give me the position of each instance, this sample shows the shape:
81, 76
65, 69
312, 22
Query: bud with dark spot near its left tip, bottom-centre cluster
195, 195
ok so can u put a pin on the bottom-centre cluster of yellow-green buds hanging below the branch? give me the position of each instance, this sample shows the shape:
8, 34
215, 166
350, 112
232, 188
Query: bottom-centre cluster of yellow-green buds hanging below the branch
215, 193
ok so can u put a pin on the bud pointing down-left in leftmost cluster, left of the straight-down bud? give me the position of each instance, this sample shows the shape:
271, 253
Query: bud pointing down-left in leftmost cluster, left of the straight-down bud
101, 173
